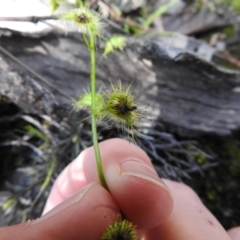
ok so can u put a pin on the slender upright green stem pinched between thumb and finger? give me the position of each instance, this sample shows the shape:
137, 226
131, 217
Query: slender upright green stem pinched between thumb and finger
93, 115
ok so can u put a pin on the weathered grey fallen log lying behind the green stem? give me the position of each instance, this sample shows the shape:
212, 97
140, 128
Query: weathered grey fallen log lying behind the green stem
188, 94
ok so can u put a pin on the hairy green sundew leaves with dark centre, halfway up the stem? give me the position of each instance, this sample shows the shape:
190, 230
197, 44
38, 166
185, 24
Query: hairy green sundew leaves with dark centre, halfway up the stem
115, 104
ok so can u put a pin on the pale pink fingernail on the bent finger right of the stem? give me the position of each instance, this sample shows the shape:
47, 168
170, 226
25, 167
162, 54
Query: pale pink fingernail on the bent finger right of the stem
136, 168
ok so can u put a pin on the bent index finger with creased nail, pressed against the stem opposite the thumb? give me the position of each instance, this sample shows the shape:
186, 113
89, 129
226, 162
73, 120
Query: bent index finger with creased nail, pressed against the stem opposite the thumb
133, 182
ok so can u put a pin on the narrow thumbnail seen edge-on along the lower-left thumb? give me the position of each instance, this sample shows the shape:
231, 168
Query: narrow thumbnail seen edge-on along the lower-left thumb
70, 201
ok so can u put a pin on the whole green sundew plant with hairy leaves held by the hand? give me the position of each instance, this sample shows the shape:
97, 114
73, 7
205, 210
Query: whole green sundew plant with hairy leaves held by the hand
115, 103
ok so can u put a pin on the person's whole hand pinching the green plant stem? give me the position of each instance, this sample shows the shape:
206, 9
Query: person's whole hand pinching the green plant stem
78, 207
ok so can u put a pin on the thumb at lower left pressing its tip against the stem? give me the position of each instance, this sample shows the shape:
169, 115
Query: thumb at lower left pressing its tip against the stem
85, 215
